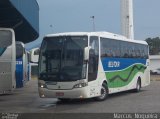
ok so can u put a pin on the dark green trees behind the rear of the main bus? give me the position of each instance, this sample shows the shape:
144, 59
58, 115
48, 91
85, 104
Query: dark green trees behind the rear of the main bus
154, 45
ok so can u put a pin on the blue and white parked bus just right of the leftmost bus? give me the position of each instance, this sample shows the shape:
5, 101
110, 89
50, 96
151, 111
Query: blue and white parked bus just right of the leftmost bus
21, 65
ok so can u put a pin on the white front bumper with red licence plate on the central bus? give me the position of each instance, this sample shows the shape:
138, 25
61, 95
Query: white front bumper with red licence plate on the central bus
72, 94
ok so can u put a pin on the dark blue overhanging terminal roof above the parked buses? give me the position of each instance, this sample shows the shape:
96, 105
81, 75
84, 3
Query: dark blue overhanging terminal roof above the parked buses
22, 16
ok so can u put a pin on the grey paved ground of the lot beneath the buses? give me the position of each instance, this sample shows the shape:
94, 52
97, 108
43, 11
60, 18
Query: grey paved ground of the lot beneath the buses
26, 100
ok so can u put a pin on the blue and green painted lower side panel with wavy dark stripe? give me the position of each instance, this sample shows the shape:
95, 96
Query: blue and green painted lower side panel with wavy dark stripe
122, 73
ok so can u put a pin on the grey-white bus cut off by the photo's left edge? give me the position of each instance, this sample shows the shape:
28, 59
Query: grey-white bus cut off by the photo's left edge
7, 61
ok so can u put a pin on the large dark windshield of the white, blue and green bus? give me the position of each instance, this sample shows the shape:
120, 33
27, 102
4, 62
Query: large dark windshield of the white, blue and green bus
61, 58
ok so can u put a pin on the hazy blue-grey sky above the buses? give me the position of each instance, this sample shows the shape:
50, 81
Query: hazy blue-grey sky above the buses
75, 15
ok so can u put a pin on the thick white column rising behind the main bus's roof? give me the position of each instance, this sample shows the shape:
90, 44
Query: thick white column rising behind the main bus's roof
127, 18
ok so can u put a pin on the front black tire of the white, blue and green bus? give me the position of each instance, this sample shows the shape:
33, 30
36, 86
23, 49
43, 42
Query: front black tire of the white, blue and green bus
104, 93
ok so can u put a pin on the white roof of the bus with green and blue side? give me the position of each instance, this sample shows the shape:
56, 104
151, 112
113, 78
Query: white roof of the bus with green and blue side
103, 34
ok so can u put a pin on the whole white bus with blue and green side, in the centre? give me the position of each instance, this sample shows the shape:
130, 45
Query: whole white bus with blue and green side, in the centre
91, 64
